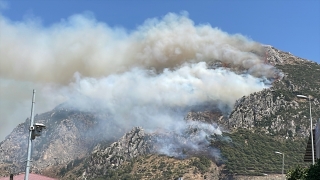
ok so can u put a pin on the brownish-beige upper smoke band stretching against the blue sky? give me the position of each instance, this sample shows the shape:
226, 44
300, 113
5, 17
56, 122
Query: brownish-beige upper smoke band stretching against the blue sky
34, 53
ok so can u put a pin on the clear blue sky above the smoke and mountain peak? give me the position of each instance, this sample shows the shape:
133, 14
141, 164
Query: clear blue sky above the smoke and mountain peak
289, 25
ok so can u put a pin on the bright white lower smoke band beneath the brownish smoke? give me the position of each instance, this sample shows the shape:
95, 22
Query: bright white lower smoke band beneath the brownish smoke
145, 97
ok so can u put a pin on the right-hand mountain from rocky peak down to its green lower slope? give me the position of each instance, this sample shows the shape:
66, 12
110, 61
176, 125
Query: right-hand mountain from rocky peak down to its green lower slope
273, 119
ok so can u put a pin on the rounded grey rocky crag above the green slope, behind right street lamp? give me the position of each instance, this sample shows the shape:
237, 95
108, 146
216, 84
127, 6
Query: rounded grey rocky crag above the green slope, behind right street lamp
273, 113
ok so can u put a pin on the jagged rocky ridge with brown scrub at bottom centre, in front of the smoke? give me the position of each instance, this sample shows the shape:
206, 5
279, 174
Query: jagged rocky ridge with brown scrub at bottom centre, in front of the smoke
134, 156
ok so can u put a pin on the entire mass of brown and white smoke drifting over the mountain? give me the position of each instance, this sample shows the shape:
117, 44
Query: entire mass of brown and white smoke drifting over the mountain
149, 77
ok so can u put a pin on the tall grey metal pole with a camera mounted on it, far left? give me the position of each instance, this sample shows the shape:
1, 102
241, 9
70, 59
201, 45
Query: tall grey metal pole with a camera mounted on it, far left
31, 128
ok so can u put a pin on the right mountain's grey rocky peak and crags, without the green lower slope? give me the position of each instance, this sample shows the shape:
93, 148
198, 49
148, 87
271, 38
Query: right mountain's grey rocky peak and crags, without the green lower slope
277, 111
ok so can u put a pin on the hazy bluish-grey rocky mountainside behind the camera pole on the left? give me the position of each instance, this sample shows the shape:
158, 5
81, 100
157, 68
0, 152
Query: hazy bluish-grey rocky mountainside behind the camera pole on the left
69, 135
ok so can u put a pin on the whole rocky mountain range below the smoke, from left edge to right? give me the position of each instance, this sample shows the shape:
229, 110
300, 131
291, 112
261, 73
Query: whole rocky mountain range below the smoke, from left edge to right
76, 145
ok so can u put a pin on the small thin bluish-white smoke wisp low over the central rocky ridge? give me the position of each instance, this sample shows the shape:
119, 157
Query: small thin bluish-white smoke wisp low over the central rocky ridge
190, 138
